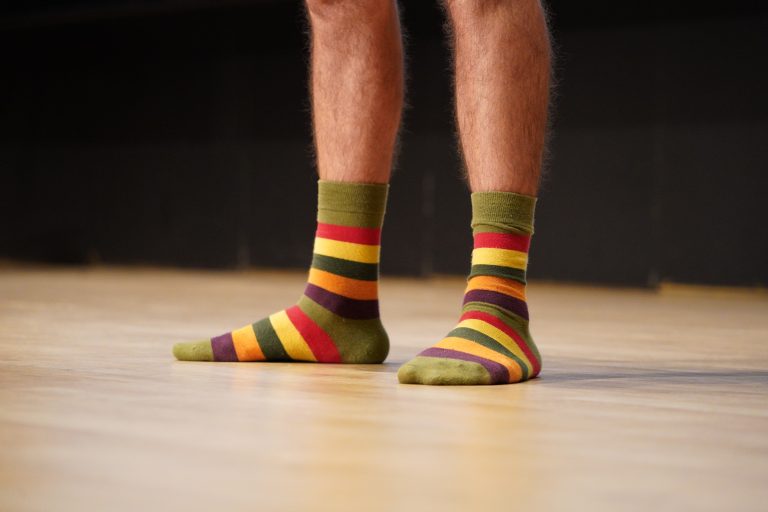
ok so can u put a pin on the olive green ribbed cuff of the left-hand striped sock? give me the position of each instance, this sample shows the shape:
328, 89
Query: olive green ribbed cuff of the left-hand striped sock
353, 204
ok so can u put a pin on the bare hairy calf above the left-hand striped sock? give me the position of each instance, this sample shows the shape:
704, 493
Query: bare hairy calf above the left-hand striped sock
357, 87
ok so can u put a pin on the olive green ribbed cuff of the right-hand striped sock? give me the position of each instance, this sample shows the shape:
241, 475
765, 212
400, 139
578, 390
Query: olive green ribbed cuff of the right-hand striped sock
502, 211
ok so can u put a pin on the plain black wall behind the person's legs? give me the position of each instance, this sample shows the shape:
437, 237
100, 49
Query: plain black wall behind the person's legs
177, 133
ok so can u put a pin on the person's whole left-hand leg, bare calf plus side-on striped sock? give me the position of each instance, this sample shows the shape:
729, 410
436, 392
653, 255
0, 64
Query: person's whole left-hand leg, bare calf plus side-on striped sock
357, 91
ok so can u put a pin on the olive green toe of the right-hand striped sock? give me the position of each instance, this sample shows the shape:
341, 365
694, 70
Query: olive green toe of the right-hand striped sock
436, 371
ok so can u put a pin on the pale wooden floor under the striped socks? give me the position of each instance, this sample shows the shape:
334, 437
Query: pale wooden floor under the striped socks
647, 401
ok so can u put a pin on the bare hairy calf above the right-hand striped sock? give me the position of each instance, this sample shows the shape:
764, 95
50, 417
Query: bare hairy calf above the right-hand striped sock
502, 58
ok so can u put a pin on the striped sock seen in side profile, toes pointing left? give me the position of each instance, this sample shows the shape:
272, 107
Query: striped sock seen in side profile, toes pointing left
337, 318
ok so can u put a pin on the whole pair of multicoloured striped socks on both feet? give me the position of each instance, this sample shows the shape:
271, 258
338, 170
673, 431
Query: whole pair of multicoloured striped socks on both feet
336, 320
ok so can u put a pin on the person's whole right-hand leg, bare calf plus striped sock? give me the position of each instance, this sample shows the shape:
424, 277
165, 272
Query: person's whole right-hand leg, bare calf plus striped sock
502, 65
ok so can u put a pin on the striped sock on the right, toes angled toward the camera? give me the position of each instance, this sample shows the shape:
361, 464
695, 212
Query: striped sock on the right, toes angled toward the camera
491, 344
